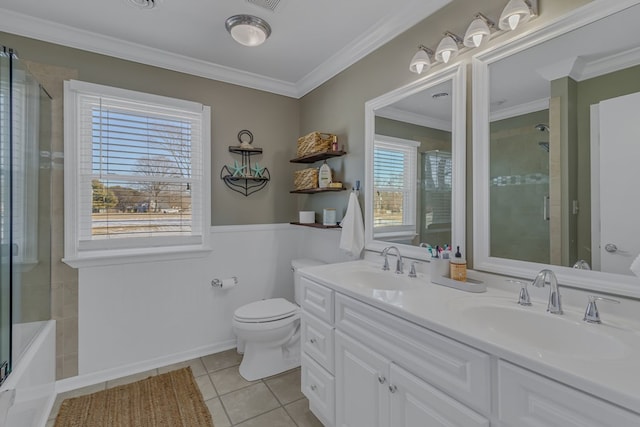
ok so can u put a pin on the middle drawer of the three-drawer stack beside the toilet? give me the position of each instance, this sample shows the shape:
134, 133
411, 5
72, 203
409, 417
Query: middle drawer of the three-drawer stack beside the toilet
317, 340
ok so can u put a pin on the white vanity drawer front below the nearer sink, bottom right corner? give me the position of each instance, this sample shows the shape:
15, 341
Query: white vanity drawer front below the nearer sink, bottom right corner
526, 399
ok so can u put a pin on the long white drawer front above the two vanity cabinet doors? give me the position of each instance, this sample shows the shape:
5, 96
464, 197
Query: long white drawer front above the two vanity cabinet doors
459, 370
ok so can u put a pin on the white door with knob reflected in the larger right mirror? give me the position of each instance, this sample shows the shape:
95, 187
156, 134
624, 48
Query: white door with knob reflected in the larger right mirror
619, 173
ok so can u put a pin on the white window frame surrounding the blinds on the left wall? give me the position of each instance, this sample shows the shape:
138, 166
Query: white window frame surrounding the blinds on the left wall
78, 253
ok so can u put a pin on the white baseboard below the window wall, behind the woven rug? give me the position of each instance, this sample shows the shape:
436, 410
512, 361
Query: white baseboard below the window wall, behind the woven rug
84, 380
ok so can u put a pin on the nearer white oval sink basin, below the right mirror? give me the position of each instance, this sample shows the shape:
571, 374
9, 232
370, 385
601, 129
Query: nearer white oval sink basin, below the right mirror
546, 333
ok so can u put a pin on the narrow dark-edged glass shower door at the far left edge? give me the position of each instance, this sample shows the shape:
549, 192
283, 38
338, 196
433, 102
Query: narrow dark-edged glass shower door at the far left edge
5, 212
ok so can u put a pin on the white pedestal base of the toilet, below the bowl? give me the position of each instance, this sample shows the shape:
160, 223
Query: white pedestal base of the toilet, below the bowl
260, 362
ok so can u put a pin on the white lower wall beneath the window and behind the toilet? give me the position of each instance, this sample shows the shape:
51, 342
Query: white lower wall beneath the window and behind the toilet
136, 316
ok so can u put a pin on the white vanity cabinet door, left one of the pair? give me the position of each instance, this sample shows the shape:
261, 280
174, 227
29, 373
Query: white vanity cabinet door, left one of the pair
362, 394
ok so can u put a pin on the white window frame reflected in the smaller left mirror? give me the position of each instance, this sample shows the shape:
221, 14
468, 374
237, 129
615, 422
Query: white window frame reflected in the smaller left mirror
409, 228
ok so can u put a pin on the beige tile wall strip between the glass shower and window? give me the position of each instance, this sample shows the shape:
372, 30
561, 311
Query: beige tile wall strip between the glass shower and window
64, 279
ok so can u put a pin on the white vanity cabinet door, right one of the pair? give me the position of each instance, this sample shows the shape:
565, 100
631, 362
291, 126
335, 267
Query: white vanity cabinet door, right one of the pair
415, 403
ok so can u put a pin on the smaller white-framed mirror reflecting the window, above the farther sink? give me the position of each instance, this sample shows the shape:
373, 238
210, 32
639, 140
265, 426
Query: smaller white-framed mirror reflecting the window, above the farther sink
415, 165
